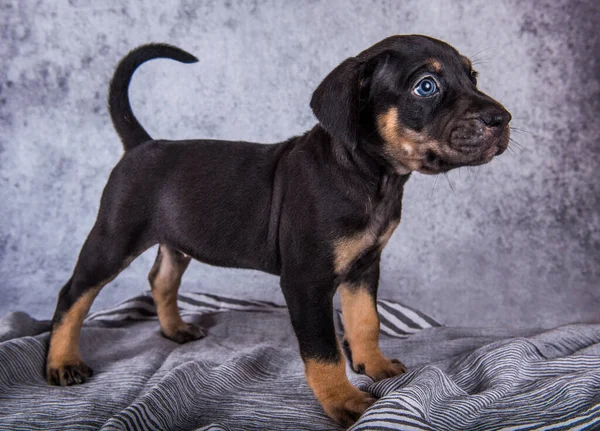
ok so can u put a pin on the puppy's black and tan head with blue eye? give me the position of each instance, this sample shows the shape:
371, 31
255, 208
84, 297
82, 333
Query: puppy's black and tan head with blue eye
412, 102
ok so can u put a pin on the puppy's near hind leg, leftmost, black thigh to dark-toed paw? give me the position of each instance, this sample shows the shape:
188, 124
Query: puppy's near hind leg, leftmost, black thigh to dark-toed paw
103, 256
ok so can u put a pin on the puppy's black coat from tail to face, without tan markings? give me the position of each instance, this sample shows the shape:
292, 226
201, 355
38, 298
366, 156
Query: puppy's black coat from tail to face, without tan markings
281, 208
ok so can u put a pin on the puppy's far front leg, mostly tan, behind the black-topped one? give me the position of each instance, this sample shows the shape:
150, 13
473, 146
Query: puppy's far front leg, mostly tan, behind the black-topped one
358, 297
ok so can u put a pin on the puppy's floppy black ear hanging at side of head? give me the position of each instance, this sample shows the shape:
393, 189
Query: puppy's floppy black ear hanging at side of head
335, 102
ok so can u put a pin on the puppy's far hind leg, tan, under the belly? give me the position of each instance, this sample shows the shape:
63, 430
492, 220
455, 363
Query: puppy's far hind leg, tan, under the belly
165, 279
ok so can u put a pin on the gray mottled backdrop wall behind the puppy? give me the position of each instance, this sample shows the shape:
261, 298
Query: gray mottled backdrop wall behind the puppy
516, 243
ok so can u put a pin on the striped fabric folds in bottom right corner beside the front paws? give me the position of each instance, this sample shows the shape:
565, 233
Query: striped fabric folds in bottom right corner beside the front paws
546, 382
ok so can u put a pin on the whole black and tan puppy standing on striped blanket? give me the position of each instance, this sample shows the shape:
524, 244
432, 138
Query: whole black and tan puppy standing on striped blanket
317, 209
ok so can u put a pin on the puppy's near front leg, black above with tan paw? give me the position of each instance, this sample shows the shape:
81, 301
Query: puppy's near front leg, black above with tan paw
311, 308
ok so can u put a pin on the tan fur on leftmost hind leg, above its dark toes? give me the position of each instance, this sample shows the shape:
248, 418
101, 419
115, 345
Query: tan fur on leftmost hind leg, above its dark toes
64, 342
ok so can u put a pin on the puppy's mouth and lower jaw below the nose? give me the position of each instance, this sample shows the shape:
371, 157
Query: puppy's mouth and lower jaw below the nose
465, 149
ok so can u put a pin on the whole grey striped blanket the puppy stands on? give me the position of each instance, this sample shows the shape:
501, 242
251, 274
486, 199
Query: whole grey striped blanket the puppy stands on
247, 374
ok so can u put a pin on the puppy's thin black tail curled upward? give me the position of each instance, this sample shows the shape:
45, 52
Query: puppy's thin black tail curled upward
127, 126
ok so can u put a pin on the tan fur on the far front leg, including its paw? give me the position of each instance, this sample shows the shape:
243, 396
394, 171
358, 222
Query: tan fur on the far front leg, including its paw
361, 331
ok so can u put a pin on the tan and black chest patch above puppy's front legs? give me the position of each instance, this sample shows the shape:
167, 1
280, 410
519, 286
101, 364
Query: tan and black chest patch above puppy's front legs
358, 249
